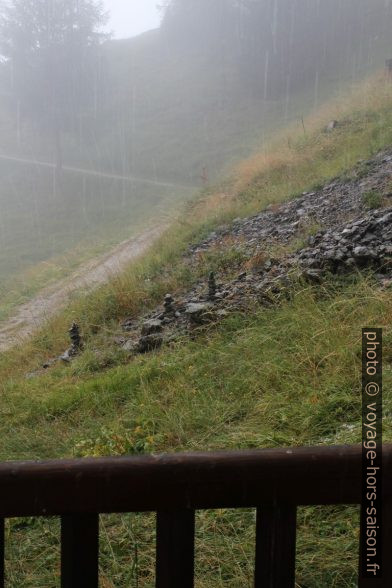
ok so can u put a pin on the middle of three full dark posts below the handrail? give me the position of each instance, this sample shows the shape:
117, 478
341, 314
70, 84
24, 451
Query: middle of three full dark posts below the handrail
175, 549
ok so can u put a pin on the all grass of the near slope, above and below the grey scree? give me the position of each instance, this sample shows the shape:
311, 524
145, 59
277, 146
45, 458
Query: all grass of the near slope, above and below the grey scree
284, 376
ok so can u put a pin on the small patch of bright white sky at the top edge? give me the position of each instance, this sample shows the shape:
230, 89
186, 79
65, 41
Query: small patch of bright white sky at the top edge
132, 17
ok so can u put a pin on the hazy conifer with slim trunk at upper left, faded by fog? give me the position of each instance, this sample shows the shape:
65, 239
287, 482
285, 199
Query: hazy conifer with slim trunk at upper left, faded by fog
50, 48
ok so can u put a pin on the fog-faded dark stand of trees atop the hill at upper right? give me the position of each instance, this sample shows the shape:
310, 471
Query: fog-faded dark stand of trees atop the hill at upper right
279, 45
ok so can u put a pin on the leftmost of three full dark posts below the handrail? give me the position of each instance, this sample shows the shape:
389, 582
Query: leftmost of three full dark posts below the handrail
79, 551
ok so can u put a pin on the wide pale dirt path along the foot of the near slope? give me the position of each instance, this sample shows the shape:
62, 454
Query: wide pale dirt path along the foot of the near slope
33, 314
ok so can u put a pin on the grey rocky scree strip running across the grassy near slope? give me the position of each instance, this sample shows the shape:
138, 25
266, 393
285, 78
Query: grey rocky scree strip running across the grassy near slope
350, 238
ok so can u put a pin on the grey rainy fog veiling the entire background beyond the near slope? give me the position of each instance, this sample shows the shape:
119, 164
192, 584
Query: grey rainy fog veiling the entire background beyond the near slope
100, 134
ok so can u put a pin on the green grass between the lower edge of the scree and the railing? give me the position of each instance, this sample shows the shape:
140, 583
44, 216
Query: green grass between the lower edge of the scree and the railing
281, 376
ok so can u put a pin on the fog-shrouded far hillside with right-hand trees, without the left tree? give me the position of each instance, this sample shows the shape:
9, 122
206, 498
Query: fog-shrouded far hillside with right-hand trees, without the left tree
180, 104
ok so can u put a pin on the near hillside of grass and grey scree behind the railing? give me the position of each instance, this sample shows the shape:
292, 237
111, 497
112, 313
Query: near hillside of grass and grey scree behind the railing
271, 281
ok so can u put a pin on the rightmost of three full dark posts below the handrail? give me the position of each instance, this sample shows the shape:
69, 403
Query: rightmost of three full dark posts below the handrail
275, 547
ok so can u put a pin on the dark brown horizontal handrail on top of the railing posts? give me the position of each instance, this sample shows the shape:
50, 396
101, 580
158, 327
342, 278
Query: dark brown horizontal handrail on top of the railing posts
317, 475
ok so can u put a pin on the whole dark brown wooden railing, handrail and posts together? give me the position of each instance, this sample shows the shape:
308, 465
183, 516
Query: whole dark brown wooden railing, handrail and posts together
274, 482
